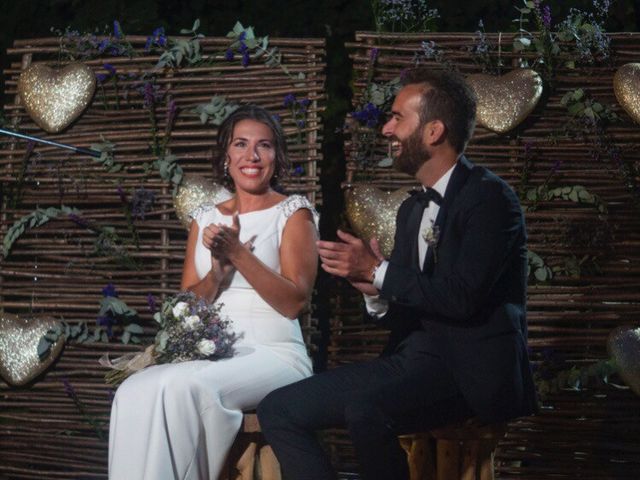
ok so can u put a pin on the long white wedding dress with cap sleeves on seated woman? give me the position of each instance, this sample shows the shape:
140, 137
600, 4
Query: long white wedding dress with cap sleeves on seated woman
178, 421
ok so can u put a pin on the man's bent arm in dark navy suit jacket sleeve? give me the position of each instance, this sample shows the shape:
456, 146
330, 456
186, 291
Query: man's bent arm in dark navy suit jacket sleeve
492, 225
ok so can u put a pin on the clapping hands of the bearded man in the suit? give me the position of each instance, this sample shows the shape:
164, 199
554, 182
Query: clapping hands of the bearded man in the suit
351, 258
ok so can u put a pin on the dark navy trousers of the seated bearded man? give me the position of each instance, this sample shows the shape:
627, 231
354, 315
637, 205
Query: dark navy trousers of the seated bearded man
409, 390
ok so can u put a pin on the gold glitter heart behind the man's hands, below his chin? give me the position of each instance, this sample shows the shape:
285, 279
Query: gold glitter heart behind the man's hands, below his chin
372, 213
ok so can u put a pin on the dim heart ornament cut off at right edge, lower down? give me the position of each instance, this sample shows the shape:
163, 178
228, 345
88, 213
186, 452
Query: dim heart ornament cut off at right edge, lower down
624, 347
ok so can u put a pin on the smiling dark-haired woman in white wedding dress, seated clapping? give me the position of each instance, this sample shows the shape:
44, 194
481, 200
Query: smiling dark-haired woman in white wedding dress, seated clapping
254, 254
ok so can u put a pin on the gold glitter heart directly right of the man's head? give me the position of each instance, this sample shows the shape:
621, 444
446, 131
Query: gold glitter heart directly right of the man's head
504, 102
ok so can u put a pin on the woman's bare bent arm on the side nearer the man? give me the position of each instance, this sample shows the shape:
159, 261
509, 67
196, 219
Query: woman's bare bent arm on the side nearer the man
290, 291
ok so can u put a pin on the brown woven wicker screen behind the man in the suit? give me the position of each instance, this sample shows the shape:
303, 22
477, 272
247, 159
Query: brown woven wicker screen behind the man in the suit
588, 434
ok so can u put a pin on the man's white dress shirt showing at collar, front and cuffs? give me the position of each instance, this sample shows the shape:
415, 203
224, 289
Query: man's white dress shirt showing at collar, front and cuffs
377, 306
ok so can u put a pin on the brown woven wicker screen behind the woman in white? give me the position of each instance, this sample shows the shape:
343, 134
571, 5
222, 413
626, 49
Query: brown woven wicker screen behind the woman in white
51, 269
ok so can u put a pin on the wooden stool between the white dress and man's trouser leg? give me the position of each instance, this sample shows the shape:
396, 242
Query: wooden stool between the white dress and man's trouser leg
250, 457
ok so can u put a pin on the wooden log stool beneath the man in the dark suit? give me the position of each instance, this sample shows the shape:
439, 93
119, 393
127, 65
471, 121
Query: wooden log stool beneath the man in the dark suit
462, 451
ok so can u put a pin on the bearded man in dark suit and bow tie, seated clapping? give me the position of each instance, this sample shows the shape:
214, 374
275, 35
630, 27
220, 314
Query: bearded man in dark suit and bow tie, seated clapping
453, 294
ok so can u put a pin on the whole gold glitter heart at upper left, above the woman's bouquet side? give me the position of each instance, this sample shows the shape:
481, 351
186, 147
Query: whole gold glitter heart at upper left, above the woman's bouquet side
54, 98
